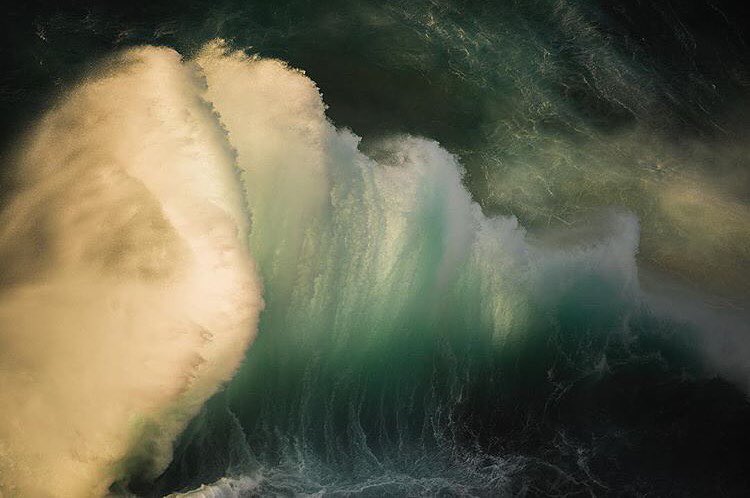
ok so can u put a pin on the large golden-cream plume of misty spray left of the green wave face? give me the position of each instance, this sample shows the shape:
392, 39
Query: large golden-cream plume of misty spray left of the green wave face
128, 294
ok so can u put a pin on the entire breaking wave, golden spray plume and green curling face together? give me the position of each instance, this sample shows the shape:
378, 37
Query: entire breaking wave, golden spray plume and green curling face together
410, 344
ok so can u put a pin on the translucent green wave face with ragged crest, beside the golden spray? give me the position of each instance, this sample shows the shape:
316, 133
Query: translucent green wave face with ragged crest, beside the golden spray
411, 344
